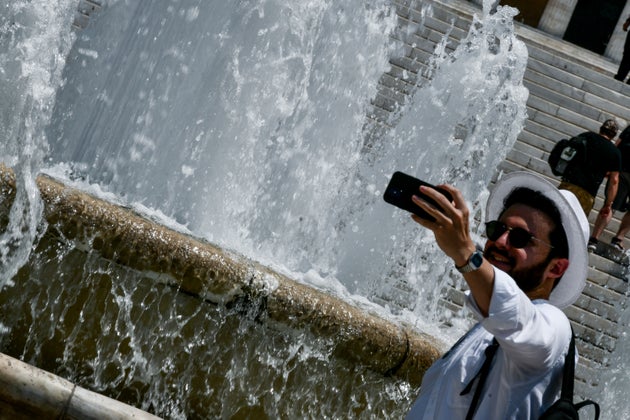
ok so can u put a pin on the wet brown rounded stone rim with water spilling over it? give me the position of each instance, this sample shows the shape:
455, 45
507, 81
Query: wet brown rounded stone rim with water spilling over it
202, 269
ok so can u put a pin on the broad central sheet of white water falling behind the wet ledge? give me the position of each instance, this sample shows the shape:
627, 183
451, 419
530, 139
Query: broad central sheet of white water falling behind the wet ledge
242, 136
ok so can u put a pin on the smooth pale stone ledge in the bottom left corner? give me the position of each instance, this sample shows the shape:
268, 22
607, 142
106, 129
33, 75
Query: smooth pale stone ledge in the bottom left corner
27, 392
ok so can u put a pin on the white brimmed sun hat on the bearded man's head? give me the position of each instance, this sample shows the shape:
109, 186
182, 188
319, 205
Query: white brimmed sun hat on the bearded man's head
574, 222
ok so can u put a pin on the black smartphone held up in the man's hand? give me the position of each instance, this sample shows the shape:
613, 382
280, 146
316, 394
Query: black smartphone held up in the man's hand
402, 187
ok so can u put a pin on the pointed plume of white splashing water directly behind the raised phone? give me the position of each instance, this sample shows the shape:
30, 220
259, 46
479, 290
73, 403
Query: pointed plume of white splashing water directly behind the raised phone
456, 129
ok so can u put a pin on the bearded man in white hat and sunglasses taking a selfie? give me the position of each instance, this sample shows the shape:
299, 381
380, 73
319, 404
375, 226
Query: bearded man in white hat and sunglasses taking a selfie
533, 265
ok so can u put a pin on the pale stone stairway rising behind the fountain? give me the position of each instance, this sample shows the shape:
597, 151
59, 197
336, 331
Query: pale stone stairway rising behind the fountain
571, 90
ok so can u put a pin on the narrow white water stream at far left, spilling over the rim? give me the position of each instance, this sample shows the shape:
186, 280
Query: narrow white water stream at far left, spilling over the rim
35, 43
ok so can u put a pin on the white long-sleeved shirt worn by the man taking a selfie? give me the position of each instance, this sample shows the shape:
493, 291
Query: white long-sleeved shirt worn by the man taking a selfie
526, 374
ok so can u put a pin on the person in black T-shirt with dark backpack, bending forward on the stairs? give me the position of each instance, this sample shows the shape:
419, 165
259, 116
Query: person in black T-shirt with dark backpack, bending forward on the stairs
602, 160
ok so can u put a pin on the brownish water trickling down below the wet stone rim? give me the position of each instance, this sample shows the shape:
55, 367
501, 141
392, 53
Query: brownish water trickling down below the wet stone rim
116, 332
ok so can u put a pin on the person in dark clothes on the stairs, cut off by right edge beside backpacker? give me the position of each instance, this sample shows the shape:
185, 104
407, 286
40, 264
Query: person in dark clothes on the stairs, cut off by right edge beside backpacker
621, 201
